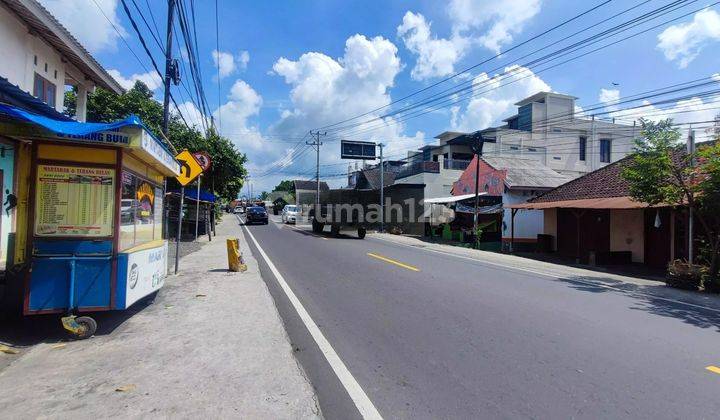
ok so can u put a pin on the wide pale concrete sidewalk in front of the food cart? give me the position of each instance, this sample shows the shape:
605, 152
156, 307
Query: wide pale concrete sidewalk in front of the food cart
211, 345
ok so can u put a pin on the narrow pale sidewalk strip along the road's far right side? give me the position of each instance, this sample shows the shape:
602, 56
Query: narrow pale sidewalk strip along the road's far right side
601, 281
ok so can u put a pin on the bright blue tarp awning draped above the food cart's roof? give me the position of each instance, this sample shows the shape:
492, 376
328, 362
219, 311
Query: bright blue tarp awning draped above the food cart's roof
70, 128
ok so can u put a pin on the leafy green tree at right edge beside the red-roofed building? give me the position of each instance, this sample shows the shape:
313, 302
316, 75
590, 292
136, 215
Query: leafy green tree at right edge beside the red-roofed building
660, 172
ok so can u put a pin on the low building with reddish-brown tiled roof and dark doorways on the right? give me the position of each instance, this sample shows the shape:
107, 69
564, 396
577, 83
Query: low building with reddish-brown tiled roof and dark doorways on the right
594, 219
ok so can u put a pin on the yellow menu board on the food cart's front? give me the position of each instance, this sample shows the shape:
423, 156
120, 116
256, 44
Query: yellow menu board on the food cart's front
74, 201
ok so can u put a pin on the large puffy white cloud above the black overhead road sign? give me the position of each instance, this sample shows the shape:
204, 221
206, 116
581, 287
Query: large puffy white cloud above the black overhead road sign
325, 90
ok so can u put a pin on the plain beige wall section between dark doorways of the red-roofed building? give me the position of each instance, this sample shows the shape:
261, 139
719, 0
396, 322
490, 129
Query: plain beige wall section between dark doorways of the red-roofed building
627, 233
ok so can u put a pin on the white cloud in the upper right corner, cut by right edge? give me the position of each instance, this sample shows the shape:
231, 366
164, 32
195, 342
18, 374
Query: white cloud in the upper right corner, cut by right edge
684, 42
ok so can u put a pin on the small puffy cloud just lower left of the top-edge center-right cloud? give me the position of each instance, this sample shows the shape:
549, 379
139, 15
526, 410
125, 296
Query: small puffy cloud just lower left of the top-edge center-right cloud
436, 57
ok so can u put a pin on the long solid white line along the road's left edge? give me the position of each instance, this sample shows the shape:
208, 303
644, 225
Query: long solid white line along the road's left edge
362, 402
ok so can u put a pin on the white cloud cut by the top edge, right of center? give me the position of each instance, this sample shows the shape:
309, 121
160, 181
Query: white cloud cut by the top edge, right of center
498, 21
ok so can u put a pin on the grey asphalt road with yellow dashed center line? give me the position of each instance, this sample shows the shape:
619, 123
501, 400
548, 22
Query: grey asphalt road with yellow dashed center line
428, 335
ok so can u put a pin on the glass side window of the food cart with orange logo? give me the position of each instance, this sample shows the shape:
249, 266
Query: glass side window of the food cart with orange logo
140, 211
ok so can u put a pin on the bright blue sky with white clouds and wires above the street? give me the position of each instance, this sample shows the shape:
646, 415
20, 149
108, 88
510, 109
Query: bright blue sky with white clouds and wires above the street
291, 66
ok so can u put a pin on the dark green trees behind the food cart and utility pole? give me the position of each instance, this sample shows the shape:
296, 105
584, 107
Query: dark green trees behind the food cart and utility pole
228, 170
